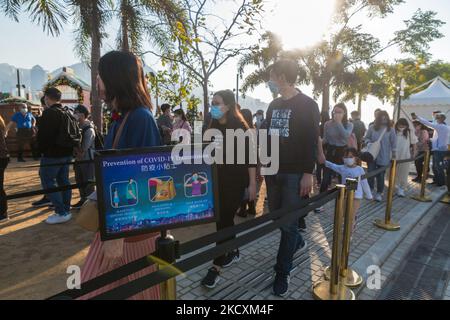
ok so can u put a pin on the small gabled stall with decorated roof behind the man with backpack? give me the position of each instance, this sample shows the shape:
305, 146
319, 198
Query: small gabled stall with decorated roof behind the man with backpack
74, 90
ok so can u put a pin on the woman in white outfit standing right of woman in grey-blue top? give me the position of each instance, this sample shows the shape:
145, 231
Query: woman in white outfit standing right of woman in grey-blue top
406, 149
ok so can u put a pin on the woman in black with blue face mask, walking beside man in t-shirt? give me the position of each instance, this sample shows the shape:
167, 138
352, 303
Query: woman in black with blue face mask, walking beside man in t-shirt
233, 178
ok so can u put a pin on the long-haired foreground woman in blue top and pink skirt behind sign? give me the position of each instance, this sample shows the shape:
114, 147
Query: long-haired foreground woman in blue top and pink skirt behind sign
122, 86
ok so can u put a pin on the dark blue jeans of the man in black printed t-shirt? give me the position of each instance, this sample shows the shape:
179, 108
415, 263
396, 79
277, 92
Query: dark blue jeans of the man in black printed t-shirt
283, 191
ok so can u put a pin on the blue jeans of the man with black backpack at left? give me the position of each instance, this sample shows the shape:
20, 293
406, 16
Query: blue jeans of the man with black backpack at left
57, 176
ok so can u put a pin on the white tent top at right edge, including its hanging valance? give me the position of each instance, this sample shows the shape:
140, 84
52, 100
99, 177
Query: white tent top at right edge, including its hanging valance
435, 98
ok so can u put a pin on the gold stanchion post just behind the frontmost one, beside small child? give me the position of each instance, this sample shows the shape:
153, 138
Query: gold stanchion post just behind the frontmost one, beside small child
349, 277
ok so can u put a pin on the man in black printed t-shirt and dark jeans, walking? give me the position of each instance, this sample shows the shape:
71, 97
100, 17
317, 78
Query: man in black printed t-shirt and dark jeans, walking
294, 118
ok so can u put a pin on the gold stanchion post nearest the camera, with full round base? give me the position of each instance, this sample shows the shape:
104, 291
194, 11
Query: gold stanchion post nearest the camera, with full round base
333, 289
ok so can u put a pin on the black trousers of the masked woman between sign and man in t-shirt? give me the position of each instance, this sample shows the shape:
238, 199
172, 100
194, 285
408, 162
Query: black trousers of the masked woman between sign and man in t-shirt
230, 198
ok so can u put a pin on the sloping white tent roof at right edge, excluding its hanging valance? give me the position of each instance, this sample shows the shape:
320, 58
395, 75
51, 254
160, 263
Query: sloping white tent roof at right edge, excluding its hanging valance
437, 94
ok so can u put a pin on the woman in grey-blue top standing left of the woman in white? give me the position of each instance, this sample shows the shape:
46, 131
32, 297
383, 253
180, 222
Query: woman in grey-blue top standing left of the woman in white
381, 130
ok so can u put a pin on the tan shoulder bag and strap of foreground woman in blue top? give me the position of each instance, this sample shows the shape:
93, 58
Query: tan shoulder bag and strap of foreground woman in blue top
88, 216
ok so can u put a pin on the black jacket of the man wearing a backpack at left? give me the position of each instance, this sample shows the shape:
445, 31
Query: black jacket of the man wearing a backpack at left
49, 128
